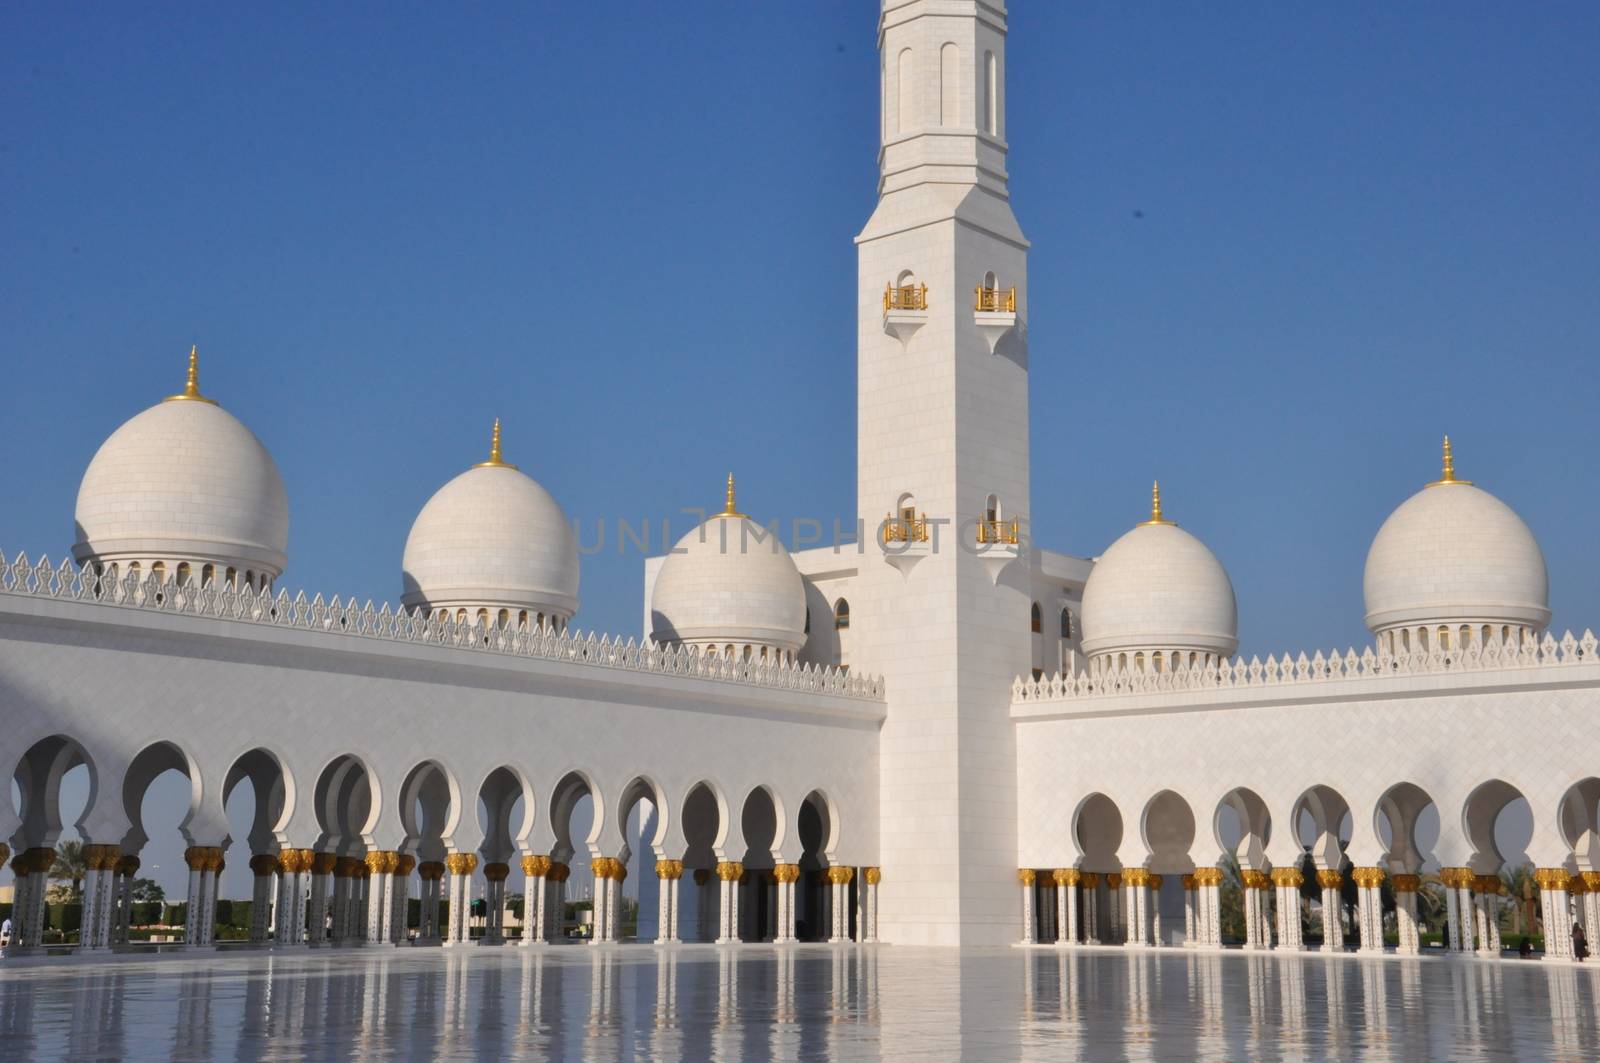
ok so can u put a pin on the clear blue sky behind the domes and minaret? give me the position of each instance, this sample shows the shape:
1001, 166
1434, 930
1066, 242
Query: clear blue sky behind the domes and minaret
1279, 251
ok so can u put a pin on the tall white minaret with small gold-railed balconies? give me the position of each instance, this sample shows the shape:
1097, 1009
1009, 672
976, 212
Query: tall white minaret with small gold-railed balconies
943, 431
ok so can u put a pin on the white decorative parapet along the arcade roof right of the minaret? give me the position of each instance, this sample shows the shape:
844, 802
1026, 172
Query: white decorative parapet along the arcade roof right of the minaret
1334, 668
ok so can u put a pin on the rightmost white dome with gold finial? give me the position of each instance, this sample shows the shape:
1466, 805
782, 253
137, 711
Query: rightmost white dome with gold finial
1455, 555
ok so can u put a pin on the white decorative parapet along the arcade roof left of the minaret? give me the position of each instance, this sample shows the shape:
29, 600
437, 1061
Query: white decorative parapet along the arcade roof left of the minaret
246, 606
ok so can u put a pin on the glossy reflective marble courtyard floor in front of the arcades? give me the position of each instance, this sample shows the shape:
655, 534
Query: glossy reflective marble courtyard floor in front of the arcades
700, 1003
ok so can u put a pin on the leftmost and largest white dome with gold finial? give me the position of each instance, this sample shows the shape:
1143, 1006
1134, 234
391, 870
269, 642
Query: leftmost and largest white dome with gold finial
183, 487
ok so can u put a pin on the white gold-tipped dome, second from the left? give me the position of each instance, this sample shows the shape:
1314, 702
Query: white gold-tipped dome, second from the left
494, 544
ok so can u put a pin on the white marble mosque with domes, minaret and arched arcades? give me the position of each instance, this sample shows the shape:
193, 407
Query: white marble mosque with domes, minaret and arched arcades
942, 734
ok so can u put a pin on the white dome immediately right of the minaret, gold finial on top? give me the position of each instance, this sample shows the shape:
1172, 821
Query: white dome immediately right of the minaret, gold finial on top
1159, 595
